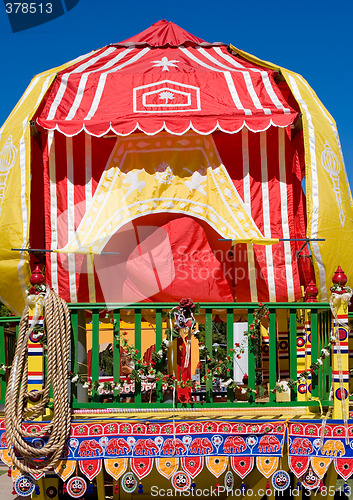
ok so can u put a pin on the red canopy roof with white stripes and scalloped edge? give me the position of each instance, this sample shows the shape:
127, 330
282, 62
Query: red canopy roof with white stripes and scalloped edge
164, 79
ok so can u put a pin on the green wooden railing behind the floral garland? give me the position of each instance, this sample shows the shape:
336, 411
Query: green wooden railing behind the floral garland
208, 396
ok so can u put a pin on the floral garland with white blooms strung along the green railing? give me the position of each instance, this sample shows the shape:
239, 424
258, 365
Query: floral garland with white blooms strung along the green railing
216, 369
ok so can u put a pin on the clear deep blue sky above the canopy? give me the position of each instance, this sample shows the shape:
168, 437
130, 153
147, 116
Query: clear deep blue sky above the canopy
311, 37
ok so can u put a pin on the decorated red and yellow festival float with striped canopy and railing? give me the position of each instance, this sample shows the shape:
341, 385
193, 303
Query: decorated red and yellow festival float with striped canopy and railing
184, 208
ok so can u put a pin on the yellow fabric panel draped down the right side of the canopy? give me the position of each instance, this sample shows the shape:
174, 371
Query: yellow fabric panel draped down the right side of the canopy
329, 199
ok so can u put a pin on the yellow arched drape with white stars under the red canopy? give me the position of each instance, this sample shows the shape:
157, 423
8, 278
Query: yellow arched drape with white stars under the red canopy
164, 174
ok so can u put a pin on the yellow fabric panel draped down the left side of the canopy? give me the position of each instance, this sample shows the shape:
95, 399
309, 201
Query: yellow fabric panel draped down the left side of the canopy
15, 158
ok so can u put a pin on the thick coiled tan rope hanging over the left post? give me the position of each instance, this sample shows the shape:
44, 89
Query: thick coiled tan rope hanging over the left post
58, 330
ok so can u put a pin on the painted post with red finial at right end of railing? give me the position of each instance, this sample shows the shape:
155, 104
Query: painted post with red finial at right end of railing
339, 300
